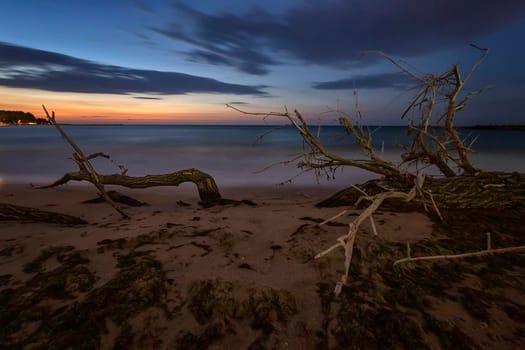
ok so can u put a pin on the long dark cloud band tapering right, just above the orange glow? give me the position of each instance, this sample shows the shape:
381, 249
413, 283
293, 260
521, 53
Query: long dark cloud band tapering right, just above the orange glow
30, 68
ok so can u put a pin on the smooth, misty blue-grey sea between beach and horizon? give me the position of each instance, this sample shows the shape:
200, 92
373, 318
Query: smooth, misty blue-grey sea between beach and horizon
234, 155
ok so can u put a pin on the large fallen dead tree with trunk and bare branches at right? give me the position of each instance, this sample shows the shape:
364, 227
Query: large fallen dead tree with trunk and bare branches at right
434, 142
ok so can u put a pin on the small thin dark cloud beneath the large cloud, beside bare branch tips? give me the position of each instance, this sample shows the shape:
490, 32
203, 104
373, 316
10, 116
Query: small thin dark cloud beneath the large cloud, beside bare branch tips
373, 81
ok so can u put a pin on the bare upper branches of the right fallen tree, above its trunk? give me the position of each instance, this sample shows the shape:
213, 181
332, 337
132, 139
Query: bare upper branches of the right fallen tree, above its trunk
434, 139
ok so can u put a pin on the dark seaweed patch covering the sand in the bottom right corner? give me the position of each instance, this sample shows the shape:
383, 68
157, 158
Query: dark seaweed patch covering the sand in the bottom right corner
457, 303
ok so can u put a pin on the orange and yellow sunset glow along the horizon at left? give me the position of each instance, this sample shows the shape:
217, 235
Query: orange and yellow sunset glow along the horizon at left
126, 108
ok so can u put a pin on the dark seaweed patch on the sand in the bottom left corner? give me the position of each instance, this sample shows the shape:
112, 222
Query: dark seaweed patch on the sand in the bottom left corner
138, 285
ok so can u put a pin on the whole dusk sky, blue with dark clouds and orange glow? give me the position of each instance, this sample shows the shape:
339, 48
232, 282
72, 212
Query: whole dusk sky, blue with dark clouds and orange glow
161, 61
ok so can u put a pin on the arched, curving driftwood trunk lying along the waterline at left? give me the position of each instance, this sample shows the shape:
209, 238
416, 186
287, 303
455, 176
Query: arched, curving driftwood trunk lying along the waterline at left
208, 190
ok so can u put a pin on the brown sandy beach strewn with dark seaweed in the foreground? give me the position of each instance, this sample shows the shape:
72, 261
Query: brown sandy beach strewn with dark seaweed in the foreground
176, 275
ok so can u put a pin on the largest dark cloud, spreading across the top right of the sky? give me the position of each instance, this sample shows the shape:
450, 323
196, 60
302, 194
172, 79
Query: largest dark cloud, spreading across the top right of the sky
334, 32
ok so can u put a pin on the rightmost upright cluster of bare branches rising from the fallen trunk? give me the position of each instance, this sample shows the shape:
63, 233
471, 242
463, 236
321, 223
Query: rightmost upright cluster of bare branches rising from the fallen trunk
435, 140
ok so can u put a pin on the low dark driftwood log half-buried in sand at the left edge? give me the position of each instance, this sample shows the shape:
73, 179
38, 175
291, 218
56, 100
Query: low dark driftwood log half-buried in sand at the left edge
10, 212
